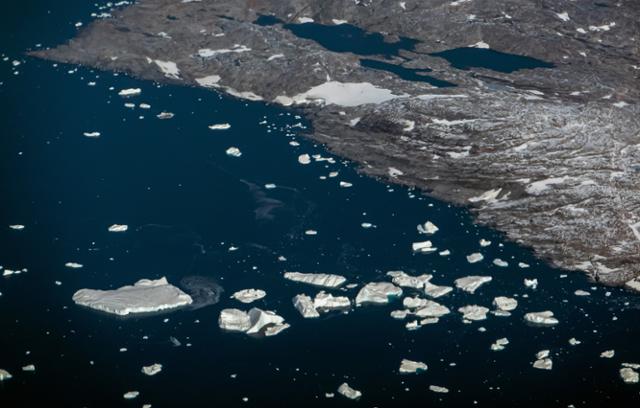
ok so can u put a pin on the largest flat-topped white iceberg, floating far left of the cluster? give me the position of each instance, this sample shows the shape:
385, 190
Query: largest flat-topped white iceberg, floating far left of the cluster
143, 297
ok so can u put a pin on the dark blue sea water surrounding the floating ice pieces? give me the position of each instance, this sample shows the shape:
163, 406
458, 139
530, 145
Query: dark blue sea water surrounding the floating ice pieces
186, 203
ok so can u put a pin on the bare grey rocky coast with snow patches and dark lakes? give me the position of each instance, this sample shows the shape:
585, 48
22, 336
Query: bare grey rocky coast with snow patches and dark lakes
548, 152
